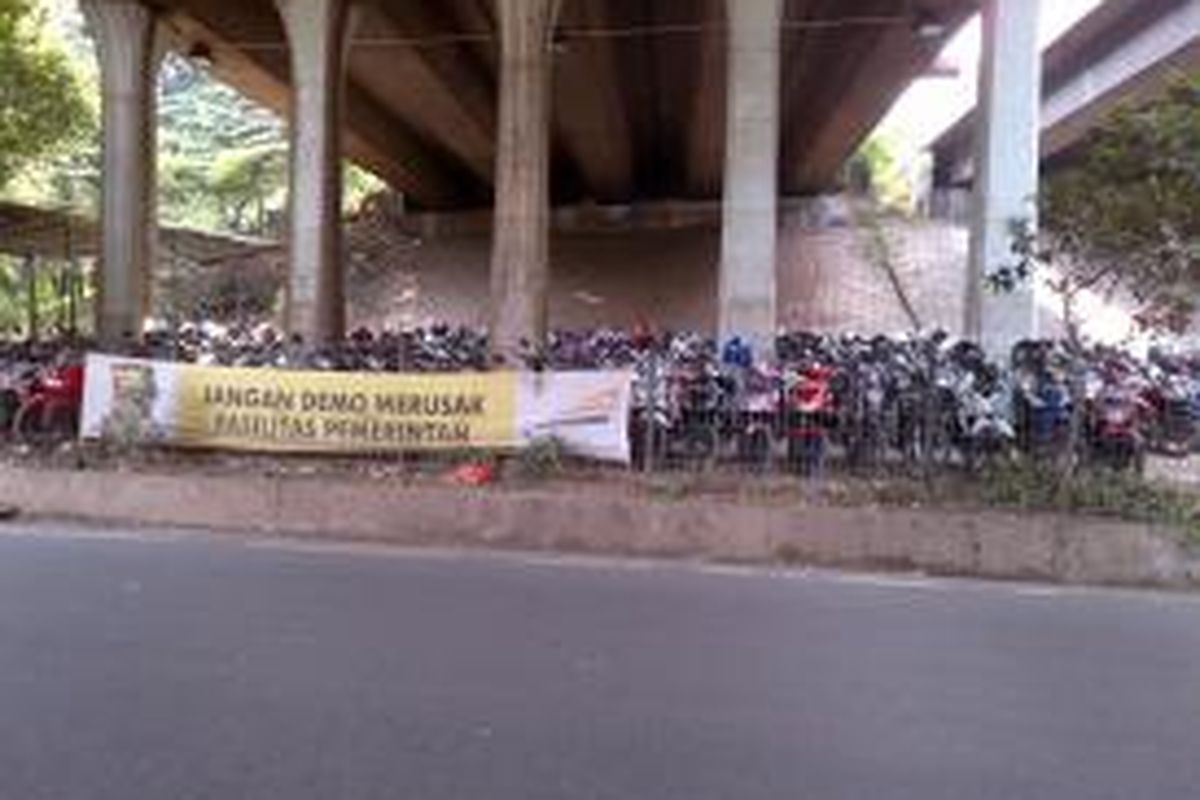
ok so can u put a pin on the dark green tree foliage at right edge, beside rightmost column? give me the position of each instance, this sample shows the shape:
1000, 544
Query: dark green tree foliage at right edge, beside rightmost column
1126, 216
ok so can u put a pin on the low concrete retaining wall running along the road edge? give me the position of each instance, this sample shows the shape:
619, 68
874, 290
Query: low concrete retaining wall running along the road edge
986, 545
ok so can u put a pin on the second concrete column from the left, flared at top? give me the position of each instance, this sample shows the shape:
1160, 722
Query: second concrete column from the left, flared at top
317, 38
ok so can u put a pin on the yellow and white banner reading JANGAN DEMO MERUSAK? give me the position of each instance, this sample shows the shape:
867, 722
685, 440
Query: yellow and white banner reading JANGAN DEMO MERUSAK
279, 411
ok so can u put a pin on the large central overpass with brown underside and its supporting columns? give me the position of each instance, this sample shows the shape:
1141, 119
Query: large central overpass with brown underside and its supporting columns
539, 104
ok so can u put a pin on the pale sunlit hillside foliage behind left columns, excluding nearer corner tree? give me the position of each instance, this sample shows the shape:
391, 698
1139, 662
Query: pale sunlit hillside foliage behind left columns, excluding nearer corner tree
223, 159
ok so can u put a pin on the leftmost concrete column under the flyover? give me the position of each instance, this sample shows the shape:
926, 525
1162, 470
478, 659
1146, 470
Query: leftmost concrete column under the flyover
127, 35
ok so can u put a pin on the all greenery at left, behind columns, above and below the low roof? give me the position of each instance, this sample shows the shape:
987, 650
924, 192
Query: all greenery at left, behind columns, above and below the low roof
223, 161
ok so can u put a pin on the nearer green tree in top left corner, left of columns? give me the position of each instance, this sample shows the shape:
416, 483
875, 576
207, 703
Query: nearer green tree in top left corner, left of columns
43, 104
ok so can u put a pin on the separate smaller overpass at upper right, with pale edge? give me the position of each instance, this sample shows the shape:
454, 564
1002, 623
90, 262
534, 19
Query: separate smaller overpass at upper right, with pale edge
1125, 52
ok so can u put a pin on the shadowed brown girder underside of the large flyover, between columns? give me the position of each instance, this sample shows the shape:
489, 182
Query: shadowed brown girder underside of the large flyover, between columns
639, 89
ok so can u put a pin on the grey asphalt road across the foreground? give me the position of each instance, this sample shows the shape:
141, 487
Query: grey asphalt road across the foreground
219, 670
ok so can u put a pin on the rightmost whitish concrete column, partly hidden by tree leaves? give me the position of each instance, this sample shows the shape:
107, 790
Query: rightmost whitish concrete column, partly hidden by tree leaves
1006, 170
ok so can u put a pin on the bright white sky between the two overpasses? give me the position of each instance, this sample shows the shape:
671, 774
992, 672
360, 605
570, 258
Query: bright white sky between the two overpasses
933, 105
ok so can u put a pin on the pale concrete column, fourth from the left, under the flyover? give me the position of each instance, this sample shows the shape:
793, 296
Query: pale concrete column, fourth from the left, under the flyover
748, 305
